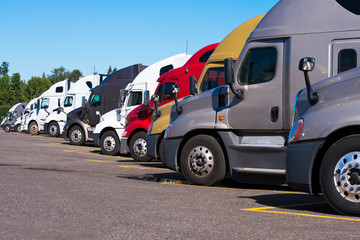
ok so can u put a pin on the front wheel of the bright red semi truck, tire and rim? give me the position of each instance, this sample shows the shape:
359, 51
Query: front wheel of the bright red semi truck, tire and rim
137, 146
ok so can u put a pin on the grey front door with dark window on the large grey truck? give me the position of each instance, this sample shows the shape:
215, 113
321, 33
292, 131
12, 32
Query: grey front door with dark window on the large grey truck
259, 76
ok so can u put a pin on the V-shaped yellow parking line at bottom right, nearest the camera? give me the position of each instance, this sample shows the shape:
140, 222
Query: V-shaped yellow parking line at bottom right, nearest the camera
264, 209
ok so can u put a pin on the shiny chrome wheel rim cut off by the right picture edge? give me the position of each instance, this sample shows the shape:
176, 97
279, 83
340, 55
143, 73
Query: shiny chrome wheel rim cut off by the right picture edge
347, 176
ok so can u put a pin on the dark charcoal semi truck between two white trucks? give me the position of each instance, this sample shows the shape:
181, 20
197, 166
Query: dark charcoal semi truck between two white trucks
80, 122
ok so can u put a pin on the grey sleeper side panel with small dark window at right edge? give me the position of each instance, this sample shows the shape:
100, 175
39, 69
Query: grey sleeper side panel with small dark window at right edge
345, 55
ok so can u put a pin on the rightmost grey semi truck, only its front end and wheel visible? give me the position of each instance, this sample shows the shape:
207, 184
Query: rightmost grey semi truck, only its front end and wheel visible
323, 155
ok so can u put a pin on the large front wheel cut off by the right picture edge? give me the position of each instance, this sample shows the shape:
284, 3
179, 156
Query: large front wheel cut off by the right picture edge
340, 175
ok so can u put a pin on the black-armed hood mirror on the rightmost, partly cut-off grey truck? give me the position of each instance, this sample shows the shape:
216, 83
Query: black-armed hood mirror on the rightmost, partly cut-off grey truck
307, 64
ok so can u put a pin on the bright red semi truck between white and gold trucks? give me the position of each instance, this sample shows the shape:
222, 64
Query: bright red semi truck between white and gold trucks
138, 121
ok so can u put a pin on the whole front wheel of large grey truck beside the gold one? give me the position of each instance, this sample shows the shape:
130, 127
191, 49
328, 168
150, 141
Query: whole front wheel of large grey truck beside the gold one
202, 161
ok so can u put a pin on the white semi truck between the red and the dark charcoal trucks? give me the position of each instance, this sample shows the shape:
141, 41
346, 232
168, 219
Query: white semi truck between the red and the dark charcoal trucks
108, 132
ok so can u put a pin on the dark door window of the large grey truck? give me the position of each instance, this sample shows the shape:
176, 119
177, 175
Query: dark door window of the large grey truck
259, 66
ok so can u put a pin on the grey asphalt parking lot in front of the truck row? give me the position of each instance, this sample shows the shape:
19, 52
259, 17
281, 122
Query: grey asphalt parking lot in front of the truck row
53, 190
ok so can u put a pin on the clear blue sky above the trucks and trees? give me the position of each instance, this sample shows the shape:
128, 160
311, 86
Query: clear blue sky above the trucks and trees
40, 35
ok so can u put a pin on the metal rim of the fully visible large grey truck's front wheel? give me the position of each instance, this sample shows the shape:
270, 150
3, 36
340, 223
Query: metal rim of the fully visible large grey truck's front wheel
201, 161
